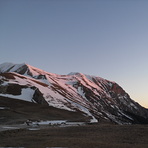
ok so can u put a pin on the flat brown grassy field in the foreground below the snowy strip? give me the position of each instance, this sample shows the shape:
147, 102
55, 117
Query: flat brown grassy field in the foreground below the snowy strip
88, 136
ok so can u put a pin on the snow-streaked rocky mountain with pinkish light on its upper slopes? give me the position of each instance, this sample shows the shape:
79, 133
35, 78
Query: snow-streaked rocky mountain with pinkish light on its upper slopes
99, 98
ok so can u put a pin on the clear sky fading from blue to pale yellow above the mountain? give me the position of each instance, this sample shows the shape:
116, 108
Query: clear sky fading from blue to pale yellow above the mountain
106, 38
